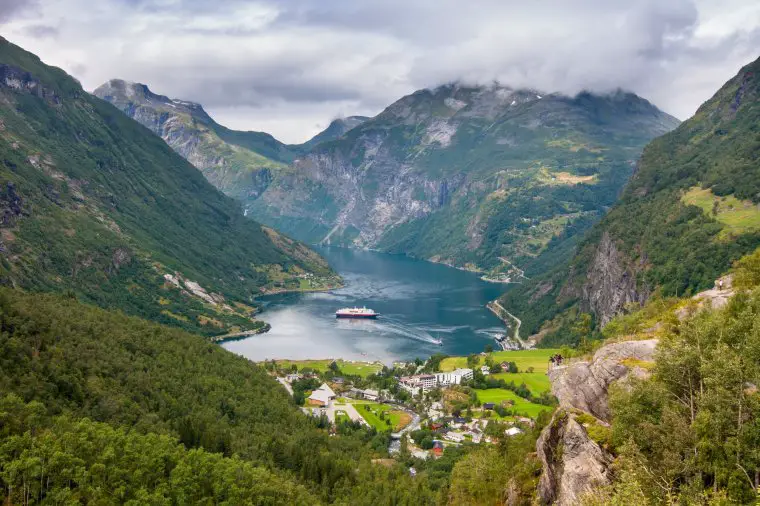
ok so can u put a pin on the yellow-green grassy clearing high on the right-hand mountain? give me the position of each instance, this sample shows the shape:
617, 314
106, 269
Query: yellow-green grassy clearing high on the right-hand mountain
737, 216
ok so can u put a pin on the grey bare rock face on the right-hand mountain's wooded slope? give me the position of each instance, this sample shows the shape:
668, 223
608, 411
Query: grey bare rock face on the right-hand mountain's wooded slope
611, 282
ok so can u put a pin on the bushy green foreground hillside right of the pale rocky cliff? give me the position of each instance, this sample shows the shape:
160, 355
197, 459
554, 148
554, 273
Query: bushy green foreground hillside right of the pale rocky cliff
691, 426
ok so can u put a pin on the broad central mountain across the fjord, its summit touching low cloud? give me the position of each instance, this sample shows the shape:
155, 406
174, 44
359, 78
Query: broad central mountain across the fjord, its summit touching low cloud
465, 175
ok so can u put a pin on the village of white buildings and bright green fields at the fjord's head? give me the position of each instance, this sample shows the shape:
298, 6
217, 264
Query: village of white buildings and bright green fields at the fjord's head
426, 407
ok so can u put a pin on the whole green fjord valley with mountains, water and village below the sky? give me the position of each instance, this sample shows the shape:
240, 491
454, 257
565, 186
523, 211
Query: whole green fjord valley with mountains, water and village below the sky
568, 291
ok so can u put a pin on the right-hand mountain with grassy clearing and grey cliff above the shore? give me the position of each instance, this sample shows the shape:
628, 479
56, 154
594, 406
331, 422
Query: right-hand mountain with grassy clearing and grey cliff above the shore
689, 211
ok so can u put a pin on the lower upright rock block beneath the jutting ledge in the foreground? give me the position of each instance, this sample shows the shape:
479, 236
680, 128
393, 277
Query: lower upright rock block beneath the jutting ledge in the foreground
572, 463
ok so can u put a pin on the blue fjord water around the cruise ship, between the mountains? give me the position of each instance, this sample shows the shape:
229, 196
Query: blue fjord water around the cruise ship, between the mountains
419, 303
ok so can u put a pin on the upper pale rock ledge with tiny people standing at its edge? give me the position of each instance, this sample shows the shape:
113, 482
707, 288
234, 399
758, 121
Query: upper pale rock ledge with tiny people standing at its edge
583, 385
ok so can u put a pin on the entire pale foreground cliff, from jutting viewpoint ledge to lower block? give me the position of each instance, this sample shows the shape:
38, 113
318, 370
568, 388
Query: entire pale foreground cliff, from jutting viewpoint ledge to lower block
573, 461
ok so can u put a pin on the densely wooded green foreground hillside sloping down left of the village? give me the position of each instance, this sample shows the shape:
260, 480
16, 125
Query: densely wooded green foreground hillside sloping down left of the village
98, 407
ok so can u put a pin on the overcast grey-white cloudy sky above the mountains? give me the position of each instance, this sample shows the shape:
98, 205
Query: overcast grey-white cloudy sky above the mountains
288, 67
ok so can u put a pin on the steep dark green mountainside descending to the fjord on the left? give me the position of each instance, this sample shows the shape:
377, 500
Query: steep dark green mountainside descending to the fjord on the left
95, 205
